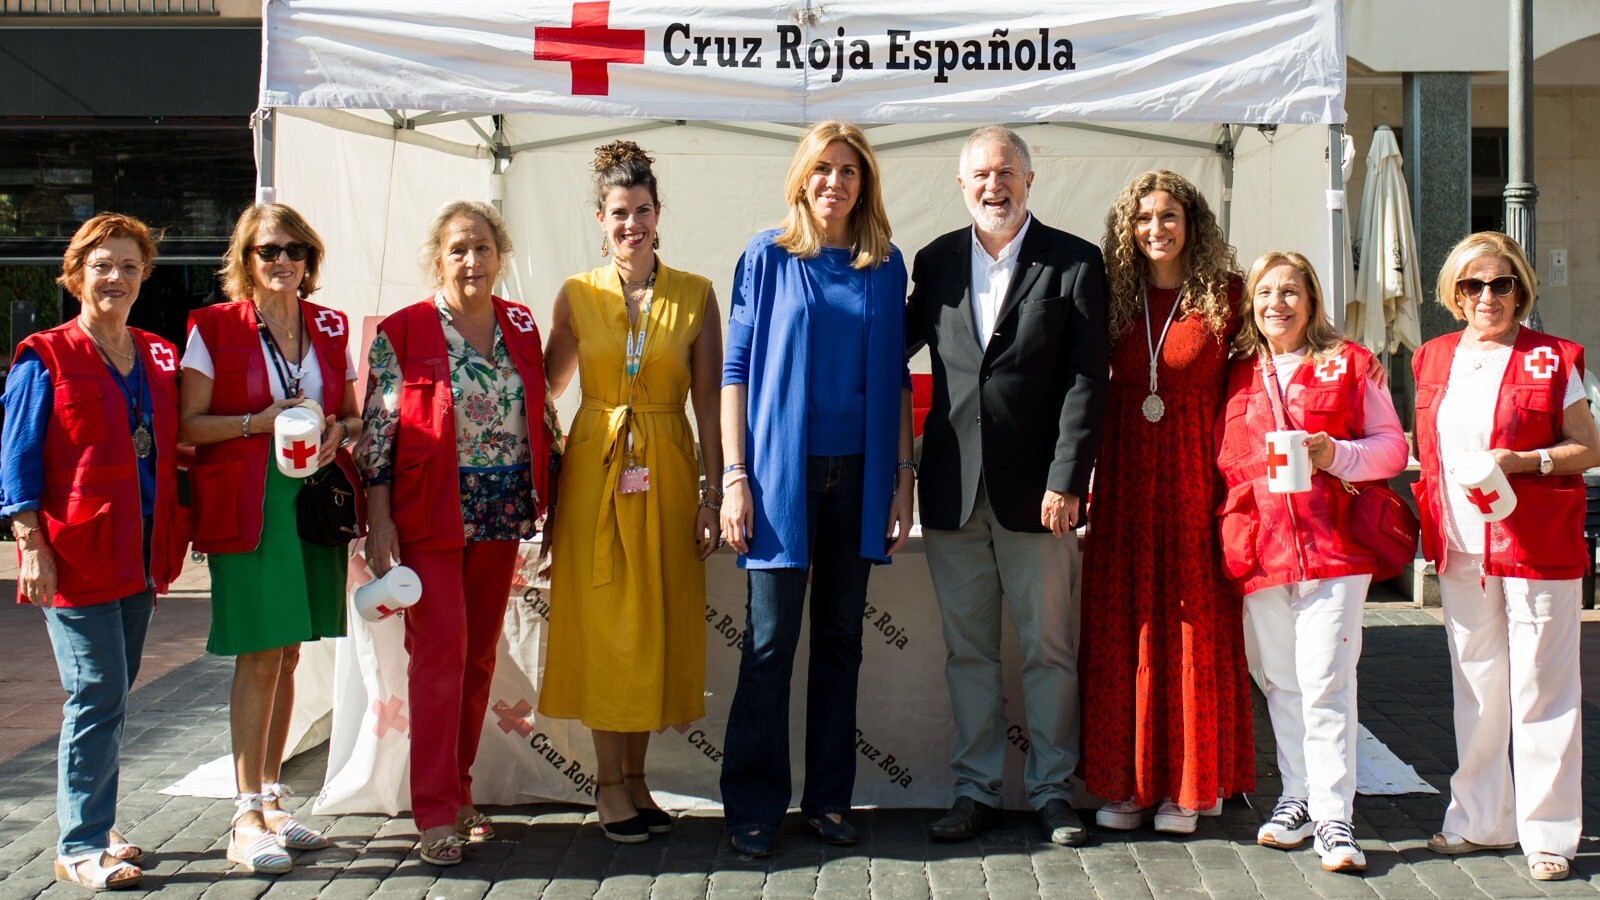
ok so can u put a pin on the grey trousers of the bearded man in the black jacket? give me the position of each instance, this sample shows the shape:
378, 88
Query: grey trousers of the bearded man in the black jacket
1038, 573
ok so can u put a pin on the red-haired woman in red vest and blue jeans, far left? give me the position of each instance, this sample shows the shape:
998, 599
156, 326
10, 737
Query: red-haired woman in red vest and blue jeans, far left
89, 473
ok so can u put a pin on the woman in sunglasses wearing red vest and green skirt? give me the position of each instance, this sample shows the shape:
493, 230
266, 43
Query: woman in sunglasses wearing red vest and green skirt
249, 361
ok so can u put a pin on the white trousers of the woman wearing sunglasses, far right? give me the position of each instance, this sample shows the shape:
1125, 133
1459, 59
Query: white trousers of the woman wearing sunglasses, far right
1514, 669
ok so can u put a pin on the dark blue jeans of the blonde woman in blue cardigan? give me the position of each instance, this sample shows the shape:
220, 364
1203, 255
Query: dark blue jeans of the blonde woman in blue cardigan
756, 785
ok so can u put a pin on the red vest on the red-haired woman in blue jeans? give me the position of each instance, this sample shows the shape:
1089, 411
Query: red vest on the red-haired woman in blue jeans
90, 507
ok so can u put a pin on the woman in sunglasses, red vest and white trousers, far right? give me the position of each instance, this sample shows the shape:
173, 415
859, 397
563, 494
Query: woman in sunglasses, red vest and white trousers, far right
1511, 587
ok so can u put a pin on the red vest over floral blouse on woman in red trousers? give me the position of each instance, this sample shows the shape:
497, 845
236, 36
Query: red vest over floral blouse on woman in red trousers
426, 497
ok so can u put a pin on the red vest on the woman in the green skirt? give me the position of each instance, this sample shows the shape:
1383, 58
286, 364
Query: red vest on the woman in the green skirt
230, 480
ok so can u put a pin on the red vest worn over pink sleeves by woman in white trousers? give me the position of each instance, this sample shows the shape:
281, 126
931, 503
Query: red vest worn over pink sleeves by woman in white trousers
1279, 539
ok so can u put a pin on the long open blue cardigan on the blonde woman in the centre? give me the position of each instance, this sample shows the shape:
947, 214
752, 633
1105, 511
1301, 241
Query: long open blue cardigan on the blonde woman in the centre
770, 350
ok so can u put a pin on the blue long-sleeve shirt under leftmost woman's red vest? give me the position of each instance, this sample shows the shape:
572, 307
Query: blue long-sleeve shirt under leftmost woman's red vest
30, 403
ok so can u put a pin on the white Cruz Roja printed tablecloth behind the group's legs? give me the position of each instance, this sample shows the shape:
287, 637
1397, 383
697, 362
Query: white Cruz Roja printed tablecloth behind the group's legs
903, 739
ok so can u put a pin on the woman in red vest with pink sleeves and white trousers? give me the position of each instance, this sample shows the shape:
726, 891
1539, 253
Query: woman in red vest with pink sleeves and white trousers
1303, 573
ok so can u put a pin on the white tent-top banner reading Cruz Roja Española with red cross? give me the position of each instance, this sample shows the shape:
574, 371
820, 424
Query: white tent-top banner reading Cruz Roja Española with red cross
791, 62
